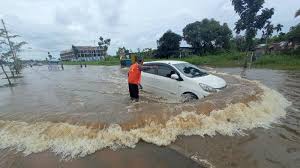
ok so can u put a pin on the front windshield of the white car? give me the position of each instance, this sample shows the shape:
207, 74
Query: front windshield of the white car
190, 70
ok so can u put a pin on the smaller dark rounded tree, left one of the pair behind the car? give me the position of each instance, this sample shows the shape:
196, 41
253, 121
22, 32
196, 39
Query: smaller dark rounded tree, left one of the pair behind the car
168, 44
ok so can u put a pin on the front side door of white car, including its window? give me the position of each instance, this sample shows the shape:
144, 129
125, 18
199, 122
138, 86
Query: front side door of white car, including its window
165, 85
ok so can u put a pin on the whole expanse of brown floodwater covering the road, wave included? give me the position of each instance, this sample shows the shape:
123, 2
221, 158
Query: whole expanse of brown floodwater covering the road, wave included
86, 114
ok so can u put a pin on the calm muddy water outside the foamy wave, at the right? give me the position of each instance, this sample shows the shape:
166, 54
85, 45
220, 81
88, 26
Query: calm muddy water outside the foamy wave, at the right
278, 146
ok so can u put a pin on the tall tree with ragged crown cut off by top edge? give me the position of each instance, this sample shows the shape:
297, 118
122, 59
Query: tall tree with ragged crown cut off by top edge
253, 17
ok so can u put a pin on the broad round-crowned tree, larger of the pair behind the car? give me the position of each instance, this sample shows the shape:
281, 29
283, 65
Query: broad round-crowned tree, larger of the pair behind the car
207, 35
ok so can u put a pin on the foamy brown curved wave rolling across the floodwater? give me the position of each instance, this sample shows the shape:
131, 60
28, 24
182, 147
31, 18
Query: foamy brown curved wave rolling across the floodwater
71, 141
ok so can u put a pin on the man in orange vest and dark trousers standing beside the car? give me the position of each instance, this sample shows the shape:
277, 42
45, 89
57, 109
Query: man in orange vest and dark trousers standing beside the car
134, 78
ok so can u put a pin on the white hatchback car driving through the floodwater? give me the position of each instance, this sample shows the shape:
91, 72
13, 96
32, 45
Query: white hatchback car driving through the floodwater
179, 79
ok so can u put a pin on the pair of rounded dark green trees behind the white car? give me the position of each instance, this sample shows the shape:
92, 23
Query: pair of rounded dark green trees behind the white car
205, 36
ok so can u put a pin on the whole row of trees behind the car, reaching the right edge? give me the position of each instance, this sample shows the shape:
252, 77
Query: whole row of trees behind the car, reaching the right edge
210, 36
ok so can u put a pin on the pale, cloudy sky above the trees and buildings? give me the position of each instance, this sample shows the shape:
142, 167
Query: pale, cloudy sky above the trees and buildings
54, 25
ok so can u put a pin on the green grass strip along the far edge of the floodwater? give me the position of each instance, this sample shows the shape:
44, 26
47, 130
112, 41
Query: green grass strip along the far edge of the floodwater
230, 59
